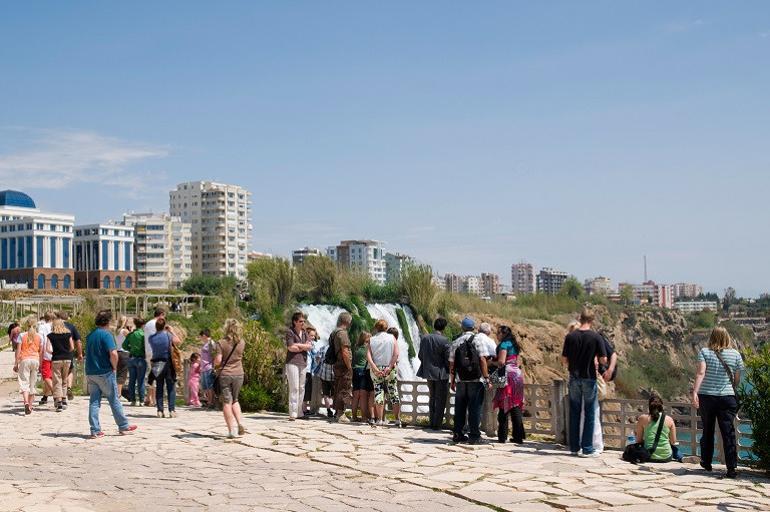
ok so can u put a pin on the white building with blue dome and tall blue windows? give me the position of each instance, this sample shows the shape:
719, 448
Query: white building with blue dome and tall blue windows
35, 246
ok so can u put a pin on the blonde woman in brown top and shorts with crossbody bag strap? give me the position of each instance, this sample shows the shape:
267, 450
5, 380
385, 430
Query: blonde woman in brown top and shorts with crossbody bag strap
229, 376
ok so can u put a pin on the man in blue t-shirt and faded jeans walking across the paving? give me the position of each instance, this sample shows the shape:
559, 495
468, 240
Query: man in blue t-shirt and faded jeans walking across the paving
101, 365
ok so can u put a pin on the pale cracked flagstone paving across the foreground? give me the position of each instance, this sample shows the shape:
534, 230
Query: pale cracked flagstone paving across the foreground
47, 463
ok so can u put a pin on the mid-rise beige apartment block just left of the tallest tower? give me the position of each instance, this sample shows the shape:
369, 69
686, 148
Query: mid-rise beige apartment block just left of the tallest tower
162, 250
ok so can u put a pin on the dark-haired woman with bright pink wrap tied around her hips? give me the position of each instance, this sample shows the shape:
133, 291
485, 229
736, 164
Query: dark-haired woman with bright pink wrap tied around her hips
509, 400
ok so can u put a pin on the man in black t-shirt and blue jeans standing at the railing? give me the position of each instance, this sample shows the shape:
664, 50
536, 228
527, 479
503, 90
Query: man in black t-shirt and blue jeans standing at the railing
582, 348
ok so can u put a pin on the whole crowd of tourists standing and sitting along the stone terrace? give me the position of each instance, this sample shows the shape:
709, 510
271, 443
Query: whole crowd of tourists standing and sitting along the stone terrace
363, 377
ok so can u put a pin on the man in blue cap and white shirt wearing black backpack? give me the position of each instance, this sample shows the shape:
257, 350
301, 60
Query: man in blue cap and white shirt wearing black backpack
469, 377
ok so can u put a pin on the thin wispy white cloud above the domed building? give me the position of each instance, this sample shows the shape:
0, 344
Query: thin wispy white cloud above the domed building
59, 159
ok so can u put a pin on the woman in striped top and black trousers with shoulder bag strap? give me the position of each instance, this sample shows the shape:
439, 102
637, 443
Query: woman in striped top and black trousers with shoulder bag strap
714, 394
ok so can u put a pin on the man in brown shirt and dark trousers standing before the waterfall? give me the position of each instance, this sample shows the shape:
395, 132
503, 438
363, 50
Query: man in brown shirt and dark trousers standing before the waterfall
340, 357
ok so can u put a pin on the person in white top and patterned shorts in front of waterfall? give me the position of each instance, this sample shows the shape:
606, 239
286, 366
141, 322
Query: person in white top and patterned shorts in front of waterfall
383, 358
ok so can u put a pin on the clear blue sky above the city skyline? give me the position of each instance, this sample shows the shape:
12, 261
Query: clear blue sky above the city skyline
579, 135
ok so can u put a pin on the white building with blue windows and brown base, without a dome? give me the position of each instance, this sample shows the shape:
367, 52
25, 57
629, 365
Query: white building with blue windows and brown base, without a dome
104, 256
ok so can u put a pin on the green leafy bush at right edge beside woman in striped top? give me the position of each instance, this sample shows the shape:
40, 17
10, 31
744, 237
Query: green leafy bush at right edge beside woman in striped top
755, 400
